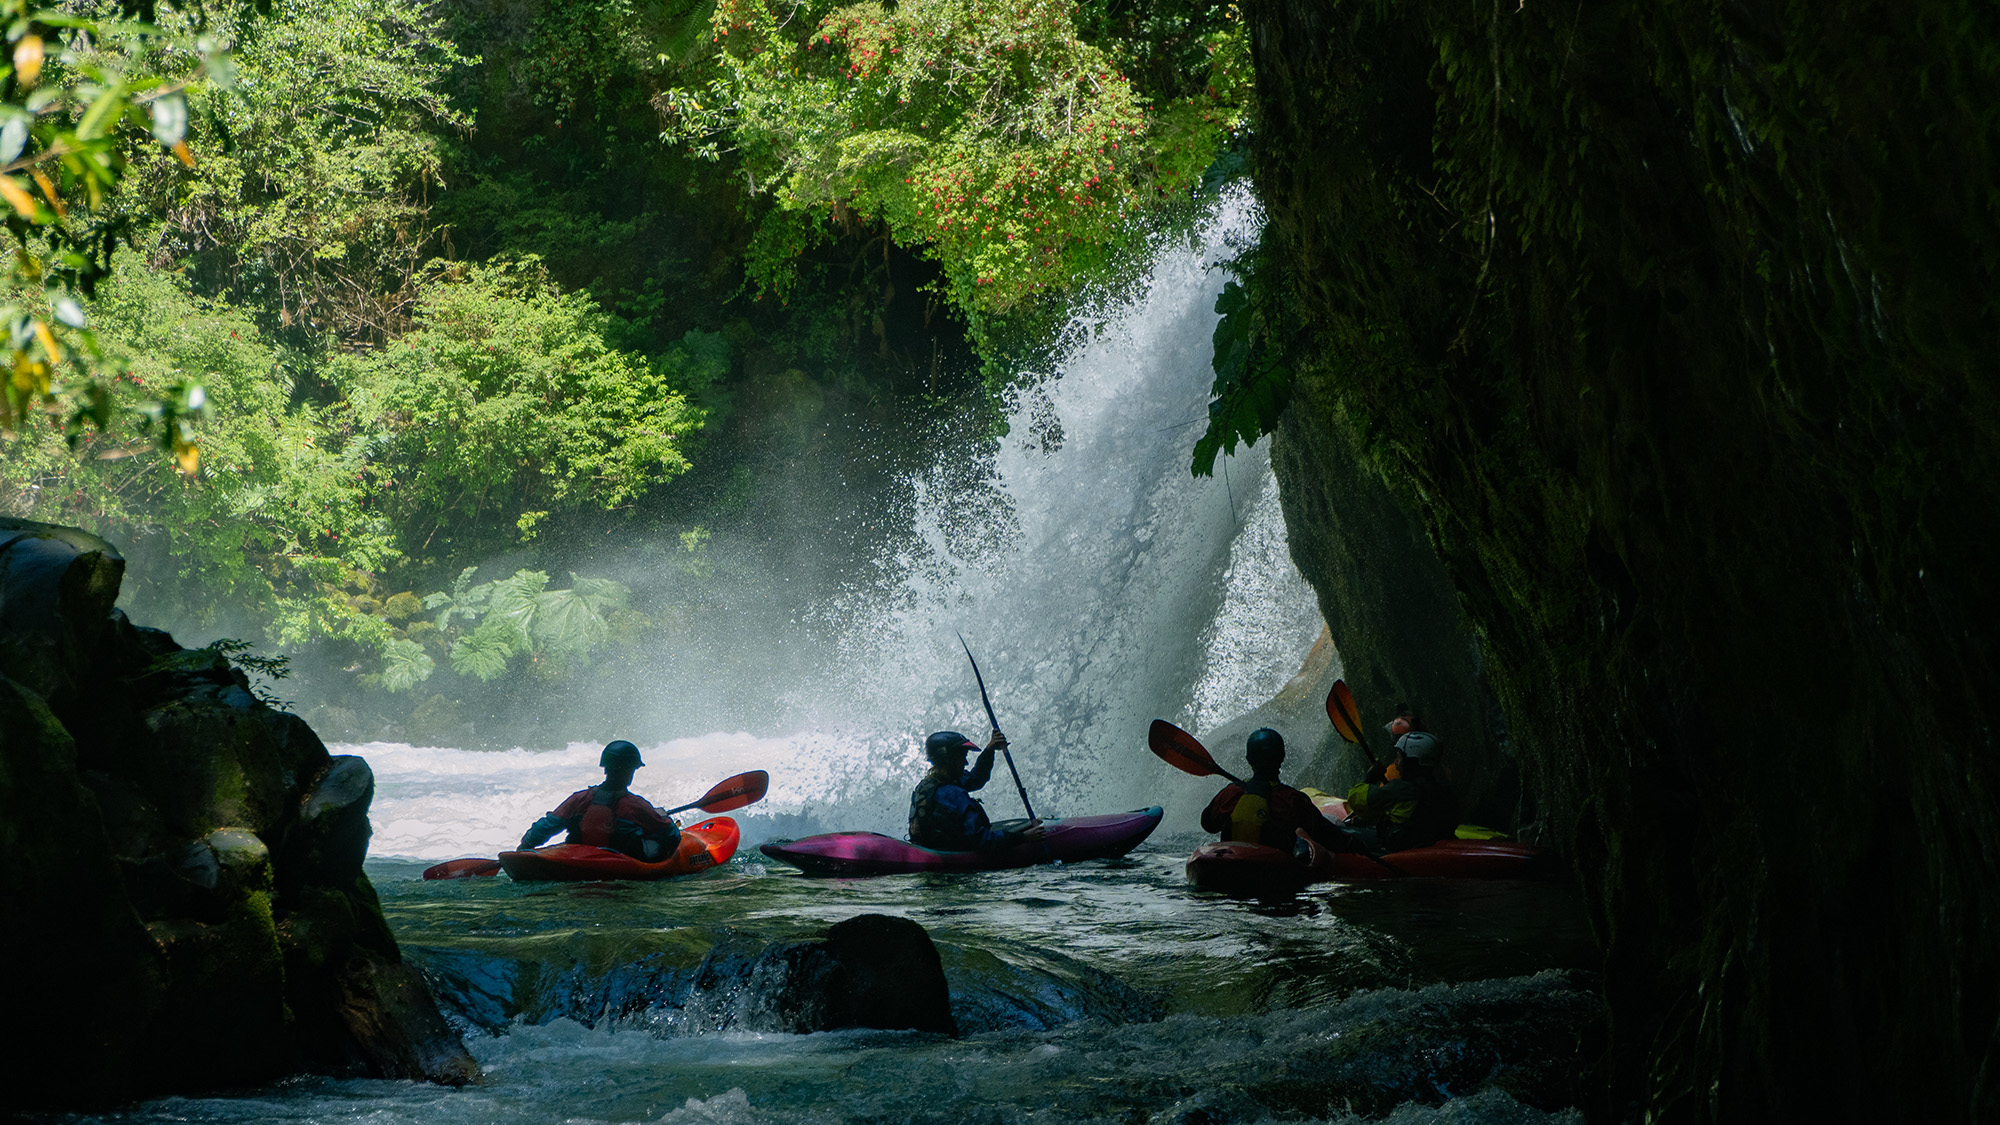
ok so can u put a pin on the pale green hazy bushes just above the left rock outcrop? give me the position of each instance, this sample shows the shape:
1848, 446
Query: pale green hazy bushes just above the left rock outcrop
277, 521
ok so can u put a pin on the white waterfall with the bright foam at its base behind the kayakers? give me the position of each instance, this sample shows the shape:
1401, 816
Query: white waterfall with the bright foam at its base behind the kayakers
1095, 580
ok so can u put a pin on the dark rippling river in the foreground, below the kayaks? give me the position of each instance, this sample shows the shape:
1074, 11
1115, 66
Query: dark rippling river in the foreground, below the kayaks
1099, 992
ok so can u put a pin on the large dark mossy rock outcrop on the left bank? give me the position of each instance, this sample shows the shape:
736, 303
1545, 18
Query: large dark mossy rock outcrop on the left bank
183, 866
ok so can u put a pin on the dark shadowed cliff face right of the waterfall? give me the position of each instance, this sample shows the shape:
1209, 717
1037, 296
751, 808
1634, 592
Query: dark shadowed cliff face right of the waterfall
1675, 329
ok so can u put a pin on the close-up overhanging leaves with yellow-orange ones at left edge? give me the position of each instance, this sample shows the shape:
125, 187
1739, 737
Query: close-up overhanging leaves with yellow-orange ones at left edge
77, 99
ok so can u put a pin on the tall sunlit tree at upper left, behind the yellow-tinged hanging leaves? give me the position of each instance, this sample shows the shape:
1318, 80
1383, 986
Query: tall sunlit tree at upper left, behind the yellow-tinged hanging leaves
313, 201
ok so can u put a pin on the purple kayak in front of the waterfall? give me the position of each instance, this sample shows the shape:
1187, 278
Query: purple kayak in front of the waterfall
873, 854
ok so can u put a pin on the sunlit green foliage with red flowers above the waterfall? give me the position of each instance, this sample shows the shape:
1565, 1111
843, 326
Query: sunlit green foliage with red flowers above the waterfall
991, 135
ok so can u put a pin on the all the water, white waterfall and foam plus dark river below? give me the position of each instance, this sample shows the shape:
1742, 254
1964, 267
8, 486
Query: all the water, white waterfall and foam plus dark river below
1101, 588
